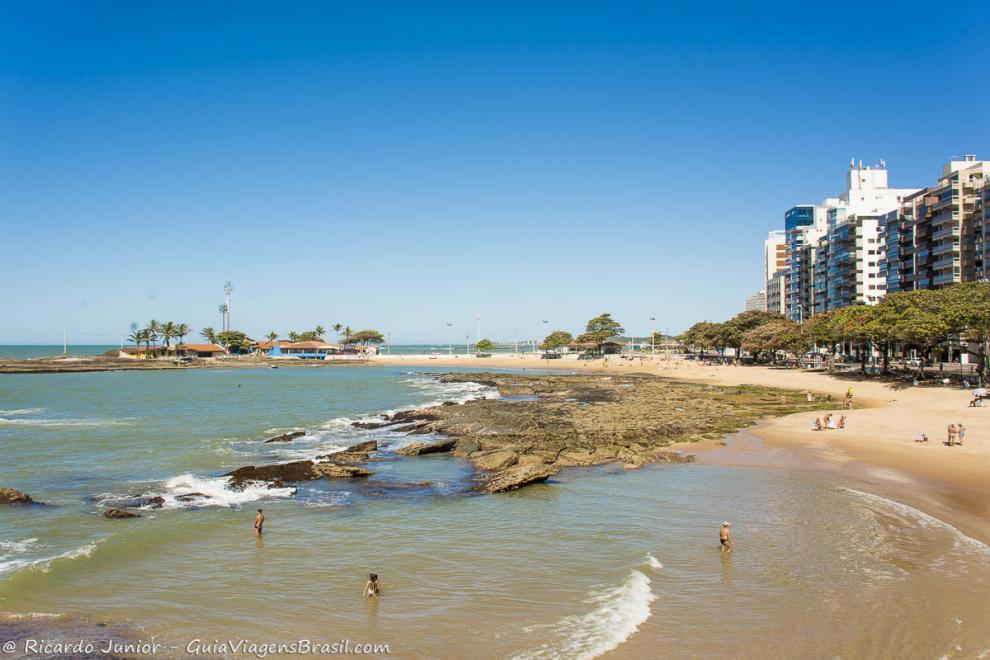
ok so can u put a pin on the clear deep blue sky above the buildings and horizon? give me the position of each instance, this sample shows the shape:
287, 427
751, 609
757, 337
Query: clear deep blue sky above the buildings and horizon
396, 166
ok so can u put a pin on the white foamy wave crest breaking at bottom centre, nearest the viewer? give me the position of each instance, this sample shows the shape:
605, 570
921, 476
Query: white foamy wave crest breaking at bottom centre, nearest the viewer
619, 613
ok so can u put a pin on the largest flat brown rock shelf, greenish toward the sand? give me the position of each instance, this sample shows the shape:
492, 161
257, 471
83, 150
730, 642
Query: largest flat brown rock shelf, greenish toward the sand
583, 420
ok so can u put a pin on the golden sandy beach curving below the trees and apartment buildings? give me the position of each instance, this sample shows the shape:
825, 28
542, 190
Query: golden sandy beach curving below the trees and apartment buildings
878, 444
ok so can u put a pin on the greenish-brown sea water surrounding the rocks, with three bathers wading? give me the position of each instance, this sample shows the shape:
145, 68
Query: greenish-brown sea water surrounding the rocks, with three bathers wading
597, 561
